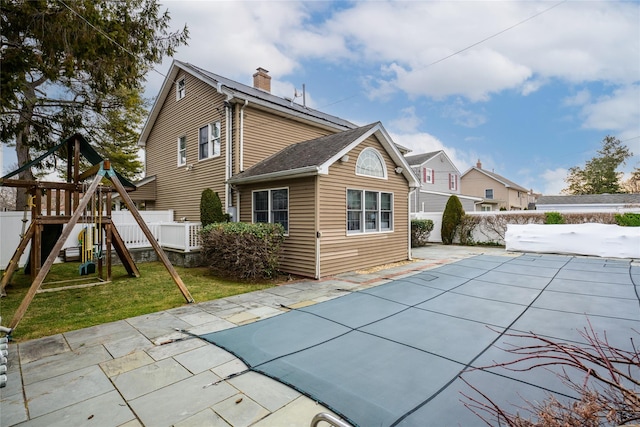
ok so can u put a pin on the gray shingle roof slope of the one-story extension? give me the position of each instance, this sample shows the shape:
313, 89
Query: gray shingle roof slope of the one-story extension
304, 156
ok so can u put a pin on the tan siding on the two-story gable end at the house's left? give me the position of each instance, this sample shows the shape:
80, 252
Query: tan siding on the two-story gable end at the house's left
178, 188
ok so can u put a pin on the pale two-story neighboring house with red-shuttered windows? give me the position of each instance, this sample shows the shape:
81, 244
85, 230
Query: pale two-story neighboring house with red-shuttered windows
439, 179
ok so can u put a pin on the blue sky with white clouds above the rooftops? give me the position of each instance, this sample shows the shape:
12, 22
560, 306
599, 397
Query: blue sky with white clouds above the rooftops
529, 88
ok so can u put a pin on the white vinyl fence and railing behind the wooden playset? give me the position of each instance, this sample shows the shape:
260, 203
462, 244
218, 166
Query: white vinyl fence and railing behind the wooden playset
175, 235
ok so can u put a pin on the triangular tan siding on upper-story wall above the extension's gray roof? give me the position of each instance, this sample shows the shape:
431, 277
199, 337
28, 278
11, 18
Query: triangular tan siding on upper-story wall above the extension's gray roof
266, 133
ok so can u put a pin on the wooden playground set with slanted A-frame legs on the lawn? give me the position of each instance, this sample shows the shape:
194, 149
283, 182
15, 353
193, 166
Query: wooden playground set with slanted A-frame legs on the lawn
57, 207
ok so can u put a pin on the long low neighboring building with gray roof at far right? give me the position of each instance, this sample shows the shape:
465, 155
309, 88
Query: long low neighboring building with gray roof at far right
589, 203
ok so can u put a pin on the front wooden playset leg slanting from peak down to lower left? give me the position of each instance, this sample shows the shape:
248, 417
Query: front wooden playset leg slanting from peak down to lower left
35, 285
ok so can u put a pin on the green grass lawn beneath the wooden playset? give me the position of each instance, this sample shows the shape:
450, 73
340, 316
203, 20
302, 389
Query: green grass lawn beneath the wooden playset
56, 312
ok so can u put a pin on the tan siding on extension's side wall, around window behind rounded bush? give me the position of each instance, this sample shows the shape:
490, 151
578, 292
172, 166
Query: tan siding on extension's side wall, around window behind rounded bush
299, 249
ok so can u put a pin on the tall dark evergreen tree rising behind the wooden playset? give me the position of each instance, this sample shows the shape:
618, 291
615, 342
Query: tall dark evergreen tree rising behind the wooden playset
78, 67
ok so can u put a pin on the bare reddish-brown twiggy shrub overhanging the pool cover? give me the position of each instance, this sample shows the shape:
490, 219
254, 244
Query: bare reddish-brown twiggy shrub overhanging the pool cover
609, 389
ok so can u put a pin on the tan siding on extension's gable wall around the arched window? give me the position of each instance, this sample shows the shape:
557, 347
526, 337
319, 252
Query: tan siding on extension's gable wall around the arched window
340, 252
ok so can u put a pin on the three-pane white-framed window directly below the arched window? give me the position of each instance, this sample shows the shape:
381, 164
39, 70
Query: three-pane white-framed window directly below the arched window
369, 211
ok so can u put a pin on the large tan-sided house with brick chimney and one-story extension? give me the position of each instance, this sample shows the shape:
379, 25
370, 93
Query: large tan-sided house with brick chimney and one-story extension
340, 191
